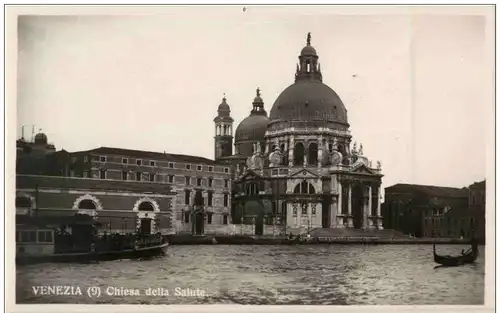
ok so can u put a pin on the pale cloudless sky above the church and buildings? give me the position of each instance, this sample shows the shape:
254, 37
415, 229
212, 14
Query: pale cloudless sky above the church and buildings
415, 86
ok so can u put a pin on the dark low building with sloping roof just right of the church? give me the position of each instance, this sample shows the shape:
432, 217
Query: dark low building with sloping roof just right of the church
419, 209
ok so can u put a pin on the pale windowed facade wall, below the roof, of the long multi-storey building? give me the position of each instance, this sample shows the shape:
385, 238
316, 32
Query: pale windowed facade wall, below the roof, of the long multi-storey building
184, 177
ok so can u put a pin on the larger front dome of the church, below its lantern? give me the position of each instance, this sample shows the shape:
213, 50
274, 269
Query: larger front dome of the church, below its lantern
309, 100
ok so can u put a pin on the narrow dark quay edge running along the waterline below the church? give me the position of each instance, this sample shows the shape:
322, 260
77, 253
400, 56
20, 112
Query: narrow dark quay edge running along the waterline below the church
181, 239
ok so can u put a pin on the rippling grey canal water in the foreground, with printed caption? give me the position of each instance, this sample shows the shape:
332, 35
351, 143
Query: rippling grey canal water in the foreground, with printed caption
314, 275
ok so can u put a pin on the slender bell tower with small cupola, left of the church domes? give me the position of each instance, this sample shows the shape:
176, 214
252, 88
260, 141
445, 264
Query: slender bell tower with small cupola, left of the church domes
223, 139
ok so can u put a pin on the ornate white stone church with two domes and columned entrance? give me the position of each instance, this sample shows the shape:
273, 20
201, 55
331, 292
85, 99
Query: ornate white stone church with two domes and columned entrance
298, 169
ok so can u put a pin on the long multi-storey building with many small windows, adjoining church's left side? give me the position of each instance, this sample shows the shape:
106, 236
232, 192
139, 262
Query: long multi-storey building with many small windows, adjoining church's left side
186, 175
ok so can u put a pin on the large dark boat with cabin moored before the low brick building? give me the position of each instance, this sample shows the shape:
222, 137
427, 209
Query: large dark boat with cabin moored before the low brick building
36, 243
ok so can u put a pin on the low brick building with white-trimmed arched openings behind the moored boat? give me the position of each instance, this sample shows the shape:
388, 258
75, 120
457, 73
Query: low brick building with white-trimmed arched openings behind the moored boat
119, 206
